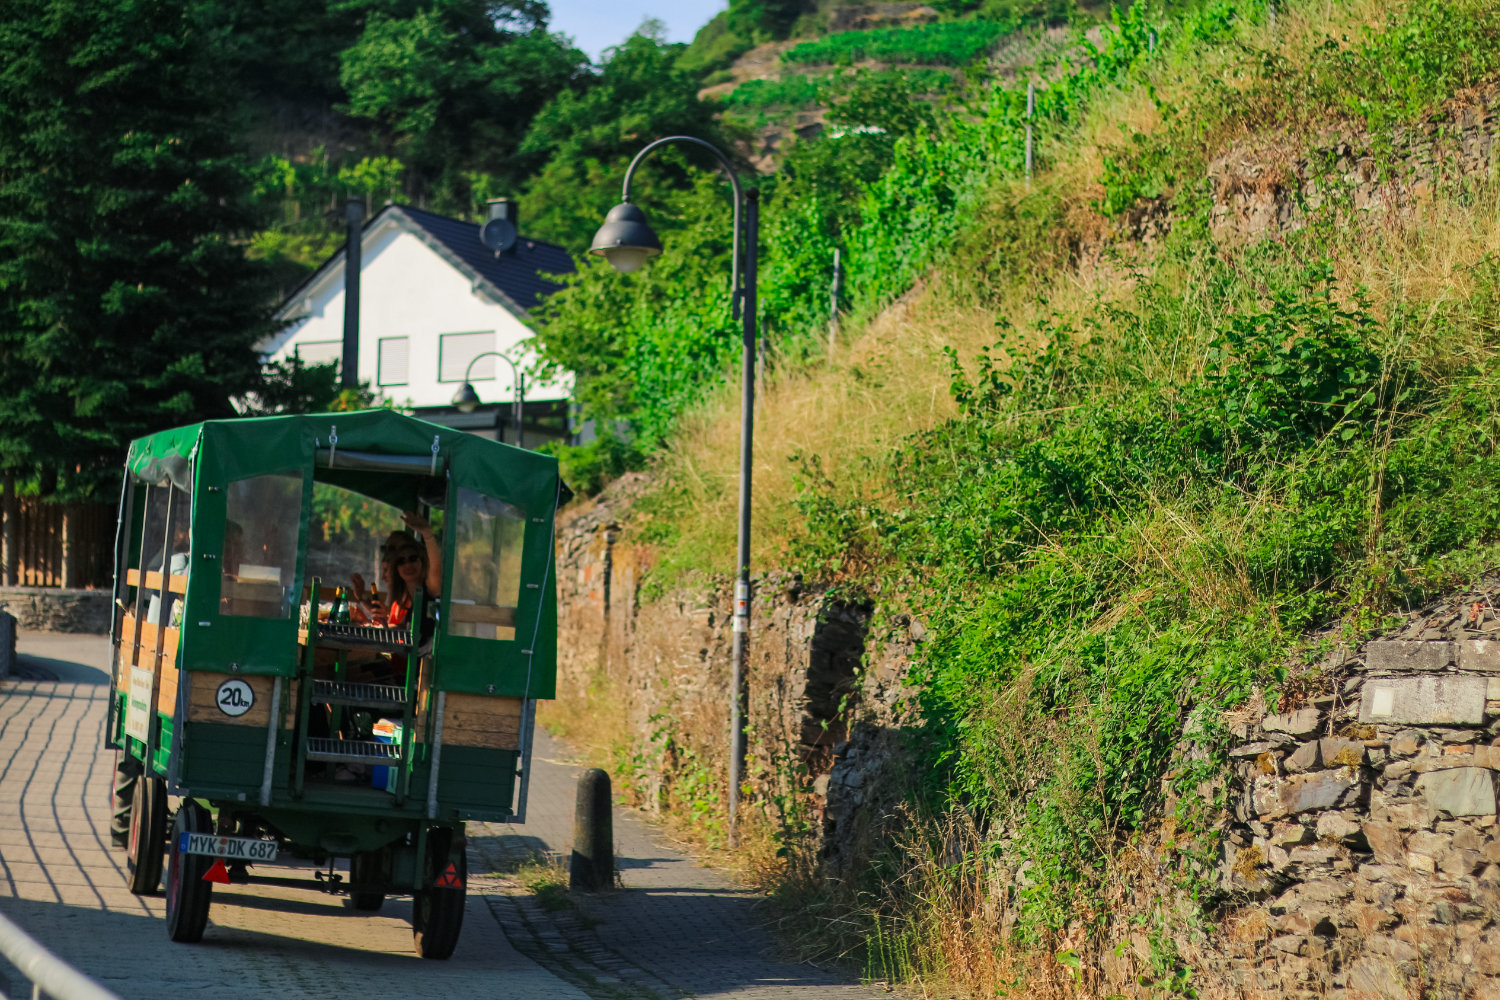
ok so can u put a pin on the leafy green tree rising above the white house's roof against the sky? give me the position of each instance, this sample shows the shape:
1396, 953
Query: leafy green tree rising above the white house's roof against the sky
455, 83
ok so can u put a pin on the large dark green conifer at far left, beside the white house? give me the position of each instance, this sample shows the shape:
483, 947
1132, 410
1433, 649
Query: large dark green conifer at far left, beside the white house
127, 304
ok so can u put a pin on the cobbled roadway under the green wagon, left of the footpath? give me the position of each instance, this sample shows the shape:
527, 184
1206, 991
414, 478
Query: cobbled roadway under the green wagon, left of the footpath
65, 887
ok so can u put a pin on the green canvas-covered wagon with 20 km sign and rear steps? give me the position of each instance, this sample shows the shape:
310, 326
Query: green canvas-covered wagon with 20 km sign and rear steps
259, 683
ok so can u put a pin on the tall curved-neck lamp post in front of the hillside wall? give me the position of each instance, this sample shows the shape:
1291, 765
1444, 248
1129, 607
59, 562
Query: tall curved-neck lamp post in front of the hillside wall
628, 242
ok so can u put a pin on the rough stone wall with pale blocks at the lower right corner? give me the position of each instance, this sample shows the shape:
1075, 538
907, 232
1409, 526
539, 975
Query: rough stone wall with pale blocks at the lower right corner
1364, 851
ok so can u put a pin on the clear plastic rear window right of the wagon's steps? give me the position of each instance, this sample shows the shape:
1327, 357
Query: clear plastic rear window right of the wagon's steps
487, 566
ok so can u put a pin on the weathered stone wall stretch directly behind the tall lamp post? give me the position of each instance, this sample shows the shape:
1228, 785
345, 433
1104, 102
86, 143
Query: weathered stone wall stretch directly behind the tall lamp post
662, 668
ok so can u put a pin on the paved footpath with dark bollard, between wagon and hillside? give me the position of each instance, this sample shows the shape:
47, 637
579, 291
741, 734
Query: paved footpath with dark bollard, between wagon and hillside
677, 930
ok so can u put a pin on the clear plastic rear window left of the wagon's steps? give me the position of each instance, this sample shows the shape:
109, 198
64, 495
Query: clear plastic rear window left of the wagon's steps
260, 546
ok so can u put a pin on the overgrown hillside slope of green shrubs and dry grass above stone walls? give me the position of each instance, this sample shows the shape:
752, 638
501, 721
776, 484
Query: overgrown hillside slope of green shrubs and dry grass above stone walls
1210, 395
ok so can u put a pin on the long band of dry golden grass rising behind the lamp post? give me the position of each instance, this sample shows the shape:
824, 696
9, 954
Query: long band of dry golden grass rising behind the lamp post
892, 379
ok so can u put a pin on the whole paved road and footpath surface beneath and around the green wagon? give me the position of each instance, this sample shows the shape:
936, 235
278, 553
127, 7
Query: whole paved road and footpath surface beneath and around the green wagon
677, 930
